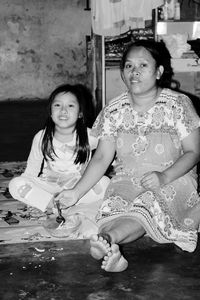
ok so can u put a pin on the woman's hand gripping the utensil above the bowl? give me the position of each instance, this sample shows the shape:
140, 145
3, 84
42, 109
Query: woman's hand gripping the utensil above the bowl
67, 197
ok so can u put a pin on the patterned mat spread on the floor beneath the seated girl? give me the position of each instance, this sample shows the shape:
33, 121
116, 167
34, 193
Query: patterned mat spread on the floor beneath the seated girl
20, 223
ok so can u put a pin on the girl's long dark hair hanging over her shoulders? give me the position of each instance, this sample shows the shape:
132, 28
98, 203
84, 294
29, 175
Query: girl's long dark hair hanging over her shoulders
85, 120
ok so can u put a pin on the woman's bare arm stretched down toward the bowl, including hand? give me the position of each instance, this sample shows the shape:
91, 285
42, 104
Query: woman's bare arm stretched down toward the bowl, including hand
97, 167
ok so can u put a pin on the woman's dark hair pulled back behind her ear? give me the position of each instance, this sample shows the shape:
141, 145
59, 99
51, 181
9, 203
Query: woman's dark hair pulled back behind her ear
160, 53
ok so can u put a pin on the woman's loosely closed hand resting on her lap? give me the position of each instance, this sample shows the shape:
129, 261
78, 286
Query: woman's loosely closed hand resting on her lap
153, 180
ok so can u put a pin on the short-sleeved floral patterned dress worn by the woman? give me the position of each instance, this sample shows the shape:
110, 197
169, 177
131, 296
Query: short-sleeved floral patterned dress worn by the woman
145, 142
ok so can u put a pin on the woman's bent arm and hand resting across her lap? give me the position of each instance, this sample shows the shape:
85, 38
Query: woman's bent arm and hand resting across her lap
190, 157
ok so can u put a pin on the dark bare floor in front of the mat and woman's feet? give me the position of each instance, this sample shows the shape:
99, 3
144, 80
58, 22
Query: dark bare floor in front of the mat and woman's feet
65, 271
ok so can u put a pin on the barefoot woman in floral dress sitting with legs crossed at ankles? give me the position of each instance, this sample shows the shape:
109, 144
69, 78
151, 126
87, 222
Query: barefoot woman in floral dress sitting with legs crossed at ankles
155, 133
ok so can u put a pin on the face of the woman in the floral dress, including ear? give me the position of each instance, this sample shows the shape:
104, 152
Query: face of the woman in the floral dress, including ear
140, 72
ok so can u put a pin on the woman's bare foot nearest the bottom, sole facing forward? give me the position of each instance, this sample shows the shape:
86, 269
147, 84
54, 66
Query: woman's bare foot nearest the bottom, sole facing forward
114, 261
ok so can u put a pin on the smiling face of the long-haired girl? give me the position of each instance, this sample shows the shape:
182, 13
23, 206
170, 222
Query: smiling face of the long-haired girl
65, 111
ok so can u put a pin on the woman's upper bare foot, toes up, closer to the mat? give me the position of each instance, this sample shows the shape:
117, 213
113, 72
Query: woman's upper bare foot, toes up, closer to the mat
99, 246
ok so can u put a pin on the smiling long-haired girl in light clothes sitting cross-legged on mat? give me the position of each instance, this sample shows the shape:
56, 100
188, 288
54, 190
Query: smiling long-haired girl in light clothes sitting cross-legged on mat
59, 154
